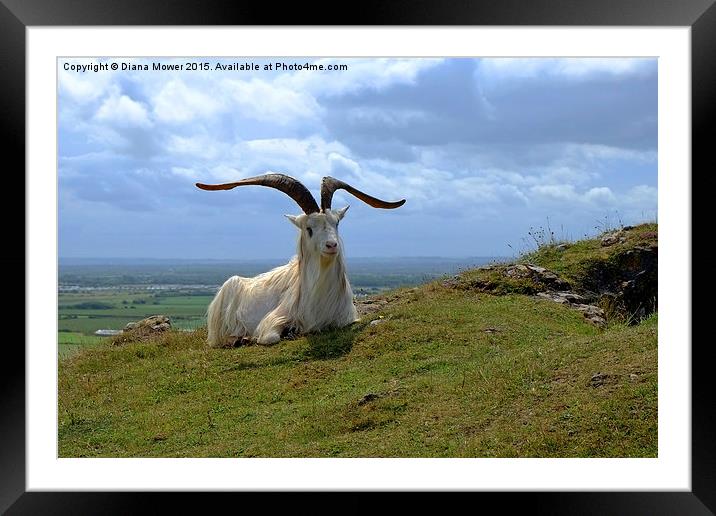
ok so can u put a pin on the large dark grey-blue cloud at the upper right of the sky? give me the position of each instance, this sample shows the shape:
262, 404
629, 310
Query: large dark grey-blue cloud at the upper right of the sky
460, 103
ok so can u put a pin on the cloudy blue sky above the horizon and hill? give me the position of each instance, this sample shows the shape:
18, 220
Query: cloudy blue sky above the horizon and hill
487, 152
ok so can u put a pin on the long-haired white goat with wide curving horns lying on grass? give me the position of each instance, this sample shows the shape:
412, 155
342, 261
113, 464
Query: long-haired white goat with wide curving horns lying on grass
311, 292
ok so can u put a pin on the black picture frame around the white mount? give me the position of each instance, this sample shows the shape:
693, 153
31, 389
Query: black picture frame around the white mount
17, 15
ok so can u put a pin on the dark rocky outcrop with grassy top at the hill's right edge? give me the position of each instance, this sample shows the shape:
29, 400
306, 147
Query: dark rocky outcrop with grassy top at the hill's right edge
612, 275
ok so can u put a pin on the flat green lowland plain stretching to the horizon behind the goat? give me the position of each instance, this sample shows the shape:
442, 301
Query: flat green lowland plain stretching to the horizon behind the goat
105, 294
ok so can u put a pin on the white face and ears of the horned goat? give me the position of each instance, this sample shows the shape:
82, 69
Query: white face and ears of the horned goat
319, 232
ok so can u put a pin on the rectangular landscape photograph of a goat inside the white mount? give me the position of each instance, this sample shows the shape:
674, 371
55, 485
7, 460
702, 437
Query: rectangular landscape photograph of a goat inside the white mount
357, 257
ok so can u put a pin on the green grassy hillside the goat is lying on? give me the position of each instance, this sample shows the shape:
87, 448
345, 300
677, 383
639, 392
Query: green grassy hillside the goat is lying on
450, 369
